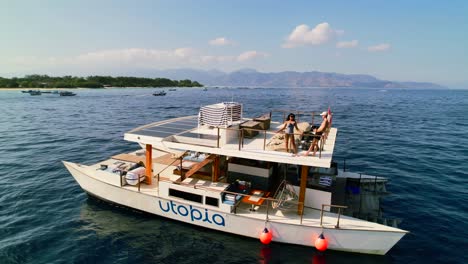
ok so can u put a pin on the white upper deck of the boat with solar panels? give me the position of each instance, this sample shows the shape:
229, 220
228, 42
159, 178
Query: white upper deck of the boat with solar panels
244, 139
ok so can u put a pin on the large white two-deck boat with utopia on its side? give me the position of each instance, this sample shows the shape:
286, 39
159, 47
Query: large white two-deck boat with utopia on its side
226, 172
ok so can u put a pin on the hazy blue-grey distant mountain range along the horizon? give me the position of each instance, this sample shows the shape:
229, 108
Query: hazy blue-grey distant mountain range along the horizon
253, 78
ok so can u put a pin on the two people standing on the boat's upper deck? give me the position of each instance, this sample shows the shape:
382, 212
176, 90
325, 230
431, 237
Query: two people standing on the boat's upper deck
291, 123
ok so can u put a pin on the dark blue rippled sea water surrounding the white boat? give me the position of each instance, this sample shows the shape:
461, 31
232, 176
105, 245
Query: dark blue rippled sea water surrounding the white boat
416, 138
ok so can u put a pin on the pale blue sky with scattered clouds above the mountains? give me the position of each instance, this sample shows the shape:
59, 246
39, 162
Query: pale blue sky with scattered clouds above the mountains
392, 40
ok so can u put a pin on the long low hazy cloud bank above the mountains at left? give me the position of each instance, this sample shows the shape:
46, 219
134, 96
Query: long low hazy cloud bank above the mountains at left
119, 60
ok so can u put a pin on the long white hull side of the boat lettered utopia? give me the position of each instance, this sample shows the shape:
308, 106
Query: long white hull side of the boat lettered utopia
351, 240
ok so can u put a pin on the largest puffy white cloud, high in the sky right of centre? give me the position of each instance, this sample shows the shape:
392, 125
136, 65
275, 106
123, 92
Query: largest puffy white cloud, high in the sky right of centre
303, 35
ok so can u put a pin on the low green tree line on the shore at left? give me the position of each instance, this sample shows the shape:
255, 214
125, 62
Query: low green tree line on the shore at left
45, 81
